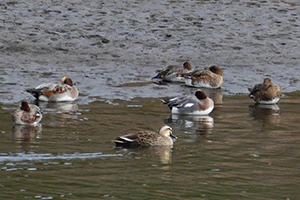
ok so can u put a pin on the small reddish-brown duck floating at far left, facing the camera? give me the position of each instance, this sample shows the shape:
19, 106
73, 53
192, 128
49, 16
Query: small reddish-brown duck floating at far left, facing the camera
27, 114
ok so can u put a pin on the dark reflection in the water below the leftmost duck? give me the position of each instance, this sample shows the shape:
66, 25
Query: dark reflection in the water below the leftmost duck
26, 135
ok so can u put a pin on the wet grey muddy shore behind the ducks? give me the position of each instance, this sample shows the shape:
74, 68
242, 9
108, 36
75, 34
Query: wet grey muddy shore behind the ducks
112, 49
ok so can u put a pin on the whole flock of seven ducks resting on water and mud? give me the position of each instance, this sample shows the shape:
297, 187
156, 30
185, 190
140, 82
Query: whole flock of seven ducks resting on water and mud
196, 104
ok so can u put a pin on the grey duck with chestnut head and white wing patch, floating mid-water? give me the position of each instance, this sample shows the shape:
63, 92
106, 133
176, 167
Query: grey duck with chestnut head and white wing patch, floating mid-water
195, 104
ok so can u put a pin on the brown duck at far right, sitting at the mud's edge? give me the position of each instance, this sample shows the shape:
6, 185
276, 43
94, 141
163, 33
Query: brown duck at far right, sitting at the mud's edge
266, 92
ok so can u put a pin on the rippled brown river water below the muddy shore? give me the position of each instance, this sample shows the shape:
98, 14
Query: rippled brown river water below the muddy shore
240, 151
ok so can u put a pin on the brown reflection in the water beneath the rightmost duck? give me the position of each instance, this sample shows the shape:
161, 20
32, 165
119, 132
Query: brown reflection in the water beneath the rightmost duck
265, 113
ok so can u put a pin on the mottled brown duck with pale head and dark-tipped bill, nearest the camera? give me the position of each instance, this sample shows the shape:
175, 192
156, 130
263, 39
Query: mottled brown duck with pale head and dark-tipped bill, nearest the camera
164, 137
